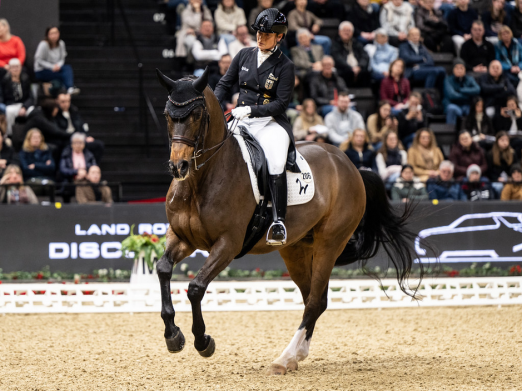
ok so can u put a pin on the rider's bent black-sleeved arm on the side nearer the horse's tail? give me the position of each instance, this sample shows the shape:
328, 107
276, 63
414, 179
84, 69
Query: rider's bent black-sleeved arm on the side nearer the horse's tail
283, 95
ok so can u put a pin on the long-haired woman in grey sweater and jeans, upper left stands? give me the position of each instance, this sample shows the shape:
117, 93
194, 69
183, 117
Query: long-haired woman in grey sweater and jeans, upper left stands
49, 61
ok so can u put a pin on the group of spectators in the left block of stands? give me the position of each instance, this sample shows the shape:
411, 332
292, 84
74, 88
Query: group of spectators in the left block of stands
44, 142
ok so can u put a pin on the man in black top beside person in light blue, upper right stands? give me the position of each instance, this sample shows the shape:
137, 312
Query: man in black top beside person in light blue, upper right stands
477, 52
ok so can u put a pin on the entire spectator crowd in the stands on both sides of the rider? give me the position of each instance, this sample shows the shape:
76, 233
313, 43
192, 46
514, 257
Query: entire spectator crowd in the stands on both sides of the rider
393, 49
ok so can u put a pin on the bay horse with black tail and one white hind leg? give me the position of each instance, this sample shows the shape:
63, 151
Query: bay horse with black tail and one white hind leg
210, 202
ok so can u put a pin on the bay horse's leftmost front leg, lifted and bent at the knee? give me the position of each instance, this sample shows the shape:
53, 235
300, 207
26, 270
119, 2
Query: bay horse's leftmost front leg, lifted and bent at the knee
175, 252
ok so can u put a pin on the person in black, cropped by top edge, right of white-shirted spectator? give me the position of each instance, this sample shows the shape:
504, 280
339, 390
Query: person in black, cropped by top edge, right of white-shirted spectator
433, 27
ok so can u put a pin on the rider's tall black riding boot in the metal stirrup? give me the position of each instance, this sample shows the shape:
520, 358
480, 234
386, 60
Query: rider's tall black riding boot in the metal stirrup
278, 189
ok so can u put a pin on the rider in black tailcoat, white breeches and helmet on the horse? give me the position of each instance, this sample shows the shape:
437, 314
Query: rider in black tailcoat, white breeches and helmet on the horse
266, 82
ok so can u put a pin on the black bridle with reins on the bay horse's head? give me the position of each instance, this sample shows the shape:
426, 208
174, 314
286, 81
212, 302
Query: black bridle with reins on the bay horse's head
202, 133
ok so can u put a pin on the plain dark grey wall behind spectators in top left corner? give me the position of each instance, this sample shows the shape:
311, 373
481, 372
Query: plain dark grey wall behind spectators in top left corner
29, 19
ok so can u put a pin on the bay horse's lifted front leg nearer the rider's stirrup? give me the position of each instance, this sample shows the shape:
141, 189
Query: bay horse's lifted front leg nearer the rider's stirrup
221, 254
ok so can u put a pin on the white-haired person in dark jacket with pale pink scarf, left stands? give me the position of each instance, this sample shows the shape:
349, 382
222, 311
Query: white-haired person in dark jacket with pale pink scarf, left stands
76, 159
